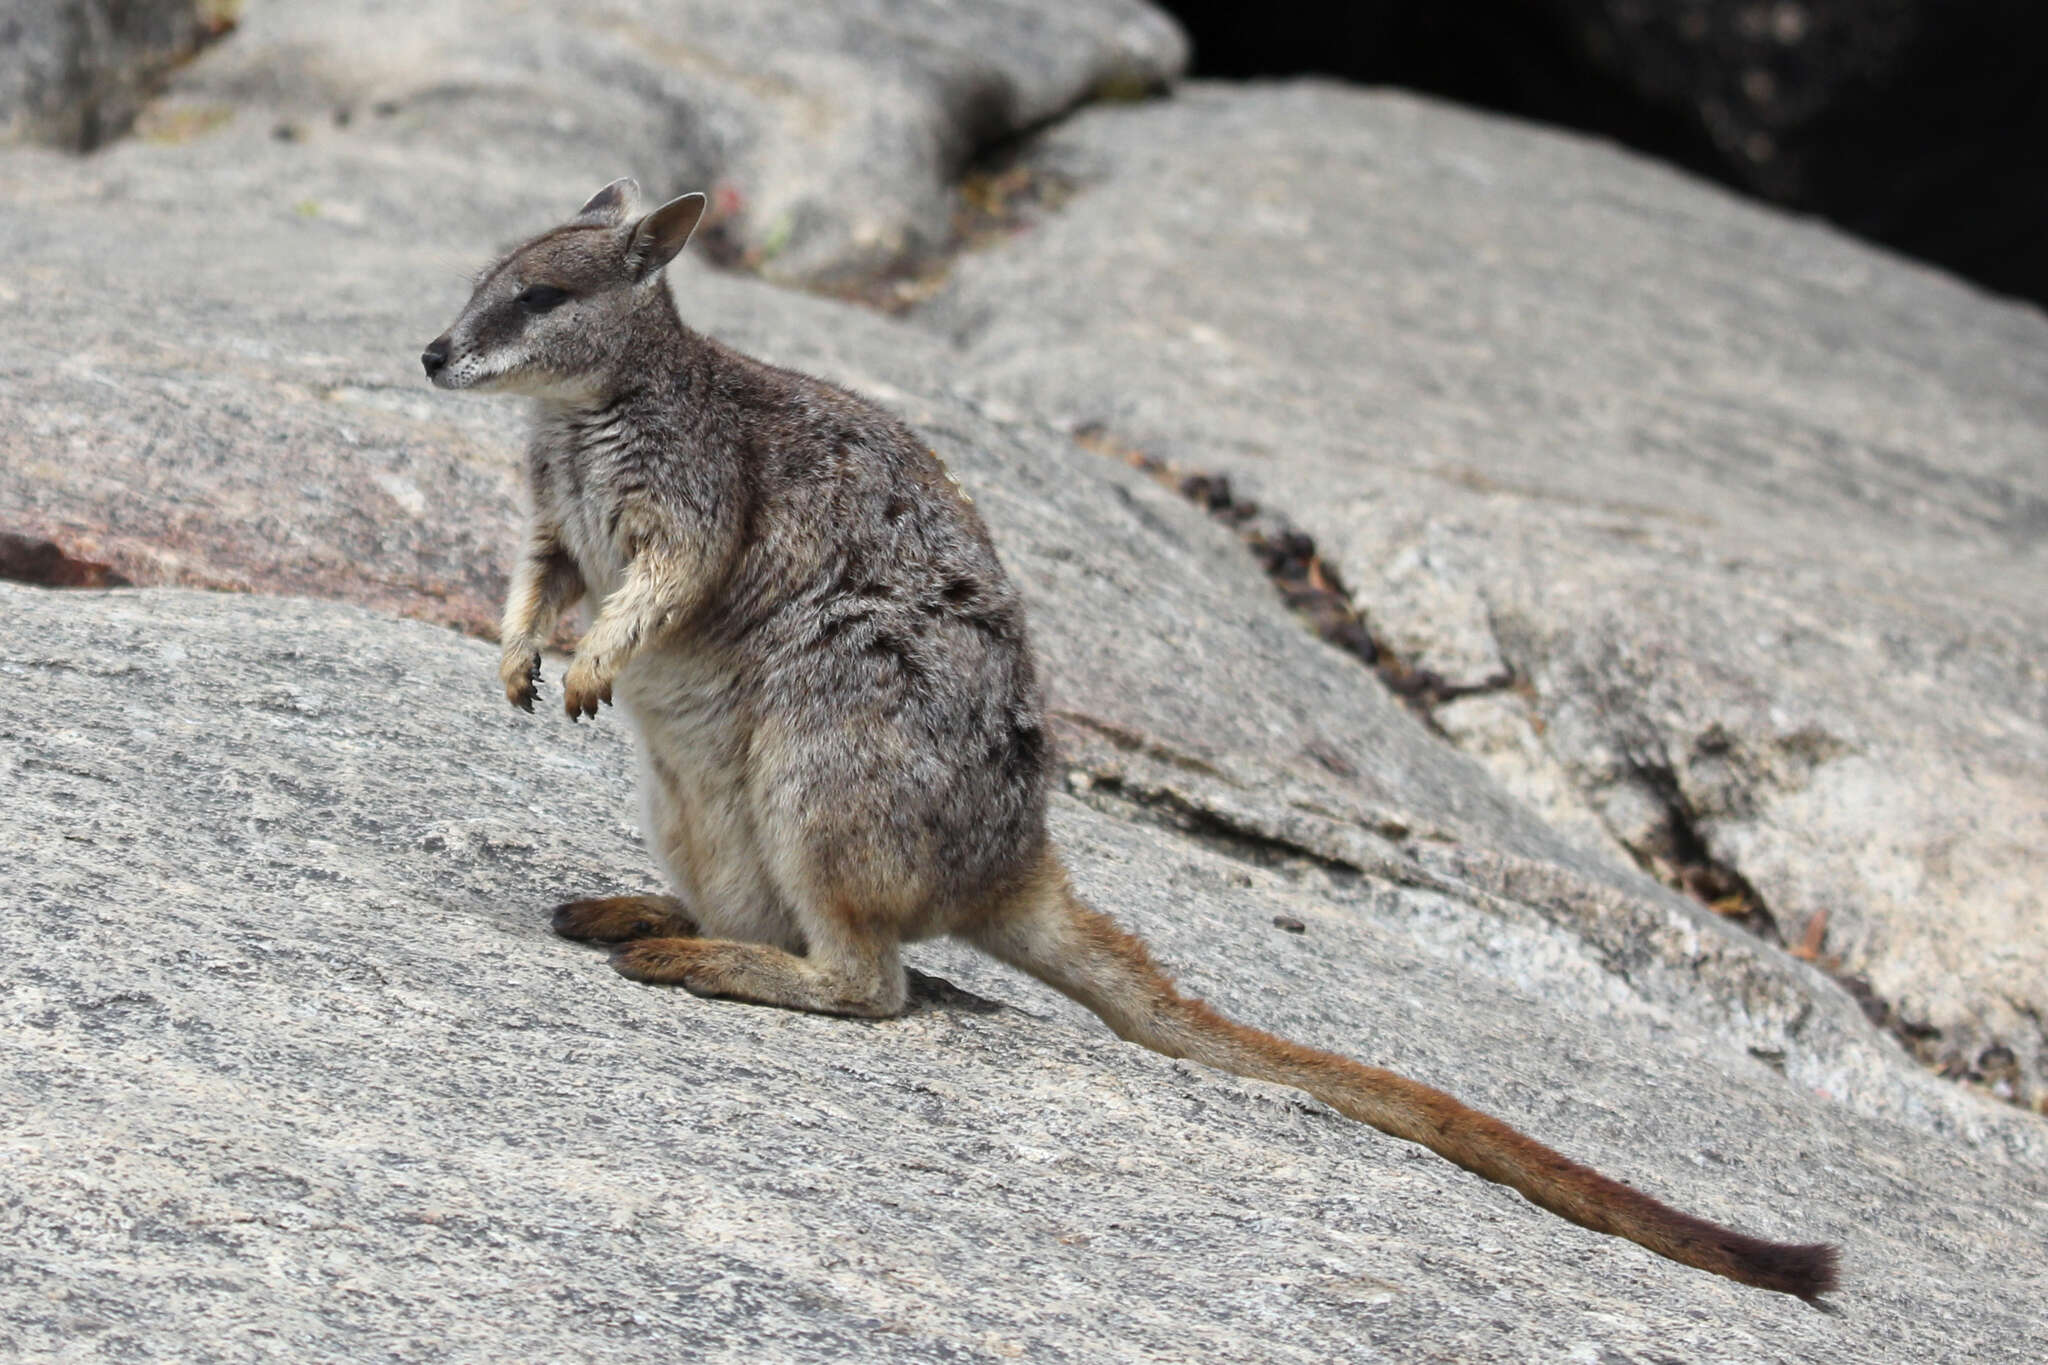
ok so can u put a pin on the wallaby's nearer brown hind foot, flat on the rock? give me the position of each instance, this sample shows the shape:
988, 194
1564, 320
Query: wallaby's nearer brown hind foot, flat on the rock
843, 975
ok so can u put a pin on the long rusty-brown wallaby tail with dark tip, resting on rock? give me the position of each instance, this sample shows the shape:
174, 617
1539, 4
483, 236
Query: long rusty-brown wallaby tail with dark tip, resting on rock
1080, 953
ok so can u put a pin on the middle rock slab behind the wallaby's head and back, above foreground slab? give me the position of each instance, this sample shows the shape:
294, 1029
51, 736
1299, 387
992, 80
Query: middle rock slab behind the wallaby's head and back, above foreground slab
251, 333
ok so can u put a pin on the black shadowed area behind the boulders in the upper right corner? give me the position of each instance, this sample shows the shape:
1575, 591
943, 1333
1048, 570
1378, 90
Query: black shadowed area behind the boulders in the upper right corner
1916, 124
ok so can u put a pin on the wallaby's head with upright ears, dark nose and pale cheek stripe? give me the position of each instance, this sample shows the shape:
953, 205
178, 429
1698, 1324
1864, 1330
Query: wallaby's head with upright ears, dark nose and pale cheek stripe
548, 320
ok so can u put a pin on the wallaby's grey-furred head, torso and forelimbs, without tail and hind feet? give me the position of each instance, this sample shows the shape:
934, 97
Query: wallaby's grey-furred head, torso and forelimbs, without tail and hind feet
833, 695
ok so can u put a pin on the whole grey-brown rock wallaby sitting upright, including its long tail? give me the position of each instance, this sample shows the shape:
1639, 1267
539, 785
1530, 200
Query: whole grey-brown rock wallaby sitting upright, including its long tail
841, 736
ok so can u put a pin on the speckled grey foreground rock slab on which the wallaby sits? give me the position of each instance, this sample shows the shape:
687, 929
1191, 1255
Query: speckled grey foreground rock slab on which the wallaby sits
300, 1073
